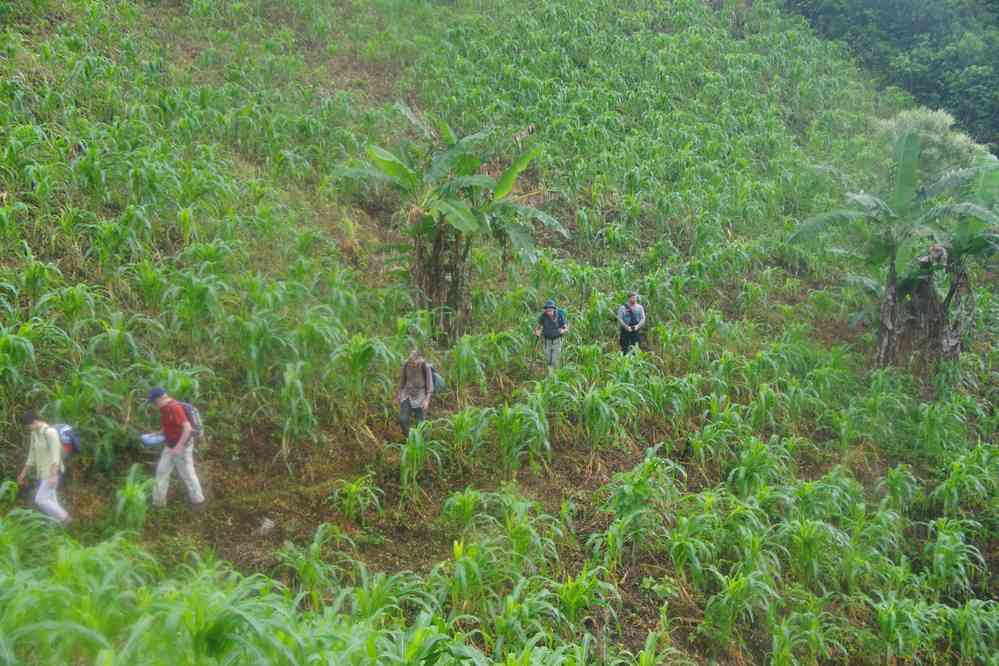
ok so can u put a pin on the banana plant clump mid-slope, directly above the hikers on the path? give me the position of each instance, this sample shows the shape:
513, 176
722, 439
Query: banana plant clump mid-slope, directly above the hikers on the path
450, 205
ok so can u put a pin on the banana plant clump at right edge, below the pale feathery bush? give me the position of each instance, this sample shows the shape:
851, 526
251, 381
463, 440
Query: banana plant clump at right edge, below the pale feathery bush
895, 231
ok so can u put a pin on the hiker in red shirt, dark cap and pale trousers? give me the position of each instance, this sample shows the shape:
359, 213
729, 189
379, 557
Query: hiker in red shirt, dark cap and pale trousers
178, 449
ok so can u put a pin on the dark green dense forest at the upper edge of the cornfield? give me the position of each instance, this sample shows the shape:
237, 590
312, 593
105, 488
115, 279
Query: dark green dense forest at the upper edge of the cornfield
944, 52
